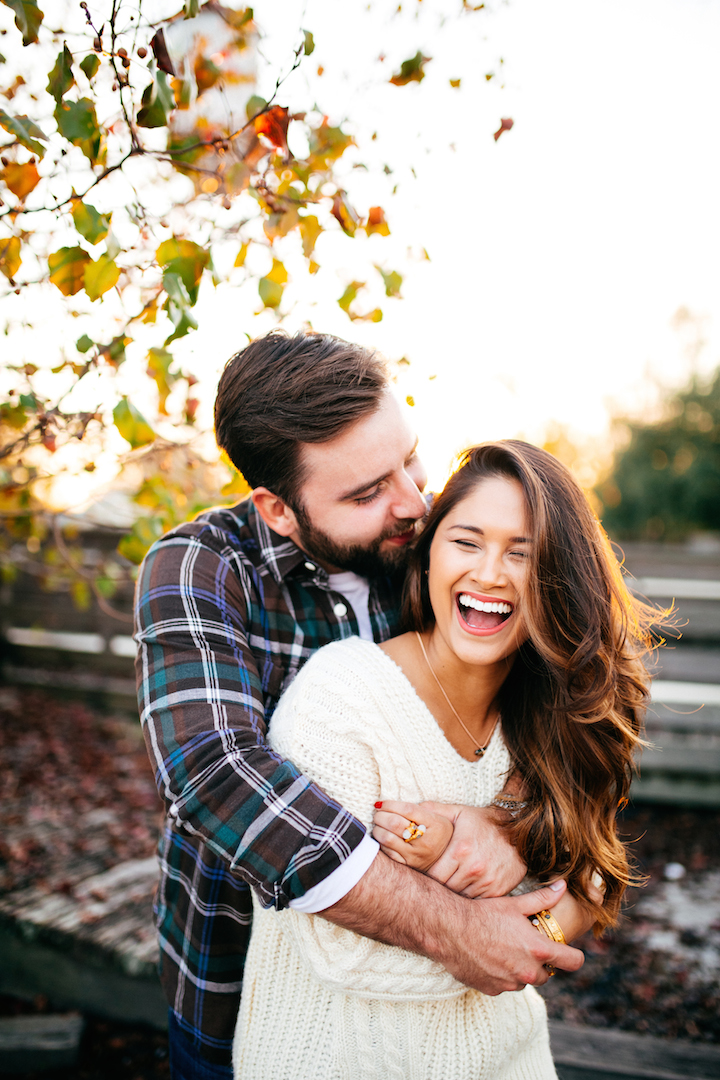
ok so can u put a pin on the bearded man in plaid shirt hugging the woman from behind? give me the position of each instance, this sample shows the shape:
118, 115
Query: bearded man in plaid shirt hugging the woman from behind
228, 610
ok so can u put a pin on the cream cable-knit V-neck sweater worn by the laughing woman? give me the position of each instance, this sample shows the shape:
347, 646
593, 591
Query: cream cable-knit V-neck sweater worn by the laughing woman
323, 1004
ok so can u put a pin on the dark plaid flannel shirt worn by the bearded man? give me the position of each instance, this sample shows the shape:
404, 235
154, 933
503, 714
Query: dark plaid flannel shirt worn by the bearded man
227, 613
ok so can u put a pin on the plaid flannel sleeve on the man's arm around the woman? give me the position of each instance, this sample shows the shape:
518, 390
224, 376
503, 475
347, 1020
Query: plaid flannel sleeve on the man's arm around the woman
201, 699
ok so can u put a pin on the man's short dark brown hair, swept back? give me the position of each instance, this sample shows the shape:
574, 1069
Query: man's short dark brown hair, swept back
282, 391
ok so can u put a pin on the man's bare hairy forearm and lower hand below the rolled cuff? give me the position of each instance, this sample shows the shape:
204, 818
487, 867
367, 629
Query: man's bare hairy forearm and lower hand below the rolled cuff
487, 944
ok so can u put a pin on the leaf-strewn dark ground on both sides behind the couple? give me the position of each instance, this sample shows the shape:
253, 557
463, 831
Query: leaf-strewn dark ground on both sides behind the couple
77, 788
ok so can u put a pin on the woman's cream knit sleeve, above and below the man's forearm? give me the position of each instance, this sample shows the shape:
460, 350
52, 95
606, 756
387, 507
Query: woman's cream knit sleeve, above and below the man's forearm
331, 725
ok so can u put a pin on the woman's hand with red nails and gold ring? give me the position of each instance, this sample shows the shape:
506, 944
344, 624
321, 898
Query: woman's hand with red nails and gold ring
393, 818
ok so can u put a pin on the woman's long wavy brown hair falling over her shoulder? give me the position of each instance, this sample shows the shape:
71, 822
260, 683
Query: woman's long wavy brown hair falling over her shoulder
574, 704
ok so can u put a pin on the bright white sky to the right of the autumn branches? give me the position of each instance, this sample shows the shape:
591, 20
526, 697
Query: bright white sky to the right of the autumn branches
560, 254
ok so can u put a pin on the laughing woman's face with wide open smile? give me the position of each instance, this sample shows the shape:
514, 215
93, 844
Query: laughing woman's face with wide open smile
479, 566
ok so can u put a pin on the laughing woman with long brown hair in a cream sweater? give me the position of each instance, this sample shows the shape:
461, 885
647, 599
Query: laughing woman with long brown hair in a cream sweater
523, 665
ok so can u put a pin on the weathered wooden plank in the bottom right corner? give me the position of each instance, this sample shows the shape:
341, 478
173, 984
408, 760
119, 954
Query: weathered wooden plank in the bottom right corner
608, 1054
